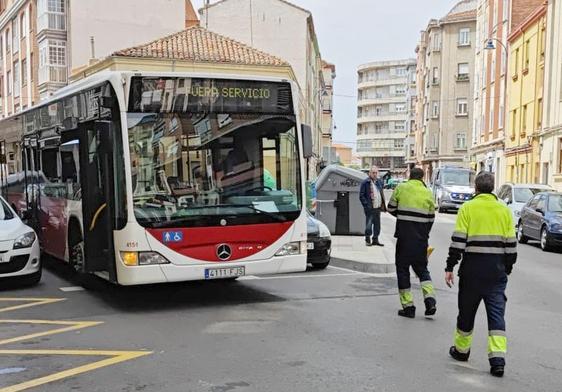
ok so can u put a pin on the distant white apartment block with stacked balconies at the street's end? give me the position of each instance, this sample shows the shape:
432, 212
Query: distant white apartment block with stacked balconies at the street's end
383, 114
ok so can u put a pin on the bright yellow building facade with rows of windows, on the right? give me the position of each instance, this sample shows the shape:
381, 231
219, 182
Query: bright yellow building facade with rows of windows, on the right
527, 45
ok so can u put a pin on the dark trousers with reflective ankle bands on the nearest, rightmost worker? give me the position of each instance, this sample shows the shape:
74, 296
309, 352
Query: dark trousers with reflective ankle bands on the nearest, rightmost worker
483, 278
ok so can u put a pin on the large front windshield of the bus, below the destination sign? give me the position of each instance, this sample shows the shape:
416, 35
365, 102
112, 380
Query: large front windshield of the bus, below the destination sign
199, 169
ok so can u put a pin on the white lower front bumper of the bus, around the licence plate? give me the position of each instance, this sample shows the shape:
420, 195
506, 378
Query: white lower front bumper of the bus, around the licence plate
165, 273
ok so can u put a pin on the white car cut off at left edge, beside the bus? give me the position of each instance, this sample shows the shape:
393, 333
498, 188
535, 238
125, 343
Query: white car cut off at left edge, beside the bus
19, 247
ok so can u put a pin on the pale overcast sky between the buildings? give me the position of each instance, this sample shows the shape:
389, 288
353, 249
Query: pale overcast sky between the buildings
353, 32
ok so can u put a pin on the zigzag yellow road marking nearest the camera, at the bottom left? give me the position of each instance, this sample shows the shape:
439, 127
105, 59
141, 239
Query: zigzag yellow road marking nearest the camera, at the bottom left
116, 357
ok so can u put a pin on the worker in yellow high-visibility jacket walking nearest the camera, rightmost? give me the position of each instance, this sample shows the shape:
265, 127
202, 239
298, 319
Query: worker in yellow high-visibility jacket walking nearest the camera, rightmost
484, 239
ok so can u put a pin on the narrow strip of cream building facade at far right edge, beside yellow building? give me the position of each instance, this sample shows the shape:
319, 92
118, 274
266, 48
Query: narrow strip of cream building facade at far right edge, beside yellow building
550, 140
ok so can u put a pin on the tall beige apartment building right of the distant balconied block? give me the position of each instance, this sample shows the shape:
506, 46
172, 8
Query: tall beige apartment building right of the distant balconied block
447, 88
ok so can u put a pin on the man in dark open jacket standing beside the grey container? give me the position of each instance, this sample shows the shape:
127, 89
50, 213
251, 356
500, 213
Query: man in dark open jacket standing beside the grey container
371, 195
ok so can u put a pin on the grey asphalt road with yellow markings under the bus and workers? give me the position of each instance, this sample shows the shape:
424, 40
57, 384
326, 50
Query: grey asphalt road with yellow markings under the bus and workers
335, 330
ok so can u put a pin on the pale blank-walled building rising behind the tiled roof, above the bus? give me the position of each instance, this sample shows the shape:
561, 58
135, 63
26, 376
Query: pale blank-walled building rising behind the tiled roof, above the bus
284, 30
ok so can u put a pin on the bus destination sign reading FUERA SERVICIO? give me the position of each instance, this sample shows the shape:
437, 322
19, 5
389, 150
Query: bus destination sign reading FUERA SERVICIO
196, 95
